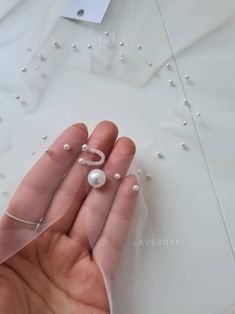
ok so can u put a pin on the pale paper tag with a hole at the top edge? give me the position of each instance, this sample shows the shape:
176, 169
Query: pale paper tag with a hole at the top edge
86, 10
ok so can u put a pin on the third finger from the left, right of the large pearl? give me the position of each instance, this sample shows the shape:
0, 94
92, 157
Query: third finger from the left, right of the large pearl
96, 207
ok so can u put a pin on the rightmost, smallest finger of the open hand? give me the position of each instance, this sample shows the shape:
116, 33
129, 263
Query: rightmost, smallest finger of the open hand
109, 247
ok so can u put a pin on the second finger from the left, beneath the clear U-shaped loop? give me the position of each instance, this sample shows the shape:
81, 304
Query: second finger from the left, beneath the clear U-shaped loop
74, 188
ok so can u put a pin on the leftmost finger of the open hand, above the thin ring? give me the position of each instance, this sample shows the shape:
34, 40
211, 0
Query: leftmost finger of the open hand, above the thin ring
32, 198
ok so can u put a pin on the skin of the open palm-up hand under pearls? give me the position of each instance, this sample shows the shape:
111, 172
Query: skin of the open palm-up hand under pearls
59, 271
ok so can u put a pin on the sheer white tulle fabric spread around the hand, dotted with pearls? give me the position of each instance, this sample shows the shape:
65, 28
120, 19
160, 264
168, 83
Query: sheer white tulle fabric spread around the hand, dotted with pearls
187, 201
